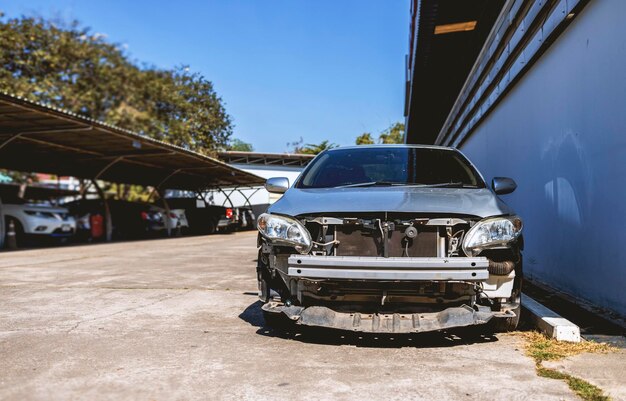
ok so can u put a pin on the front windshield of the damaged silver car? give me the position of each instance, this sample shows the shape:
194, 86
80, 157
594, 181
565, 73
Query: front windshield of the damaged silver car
392, 166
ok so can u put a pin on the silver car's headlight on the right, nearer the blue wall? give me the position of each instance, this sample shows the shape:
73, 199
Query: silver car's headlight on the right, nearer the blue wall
492, 232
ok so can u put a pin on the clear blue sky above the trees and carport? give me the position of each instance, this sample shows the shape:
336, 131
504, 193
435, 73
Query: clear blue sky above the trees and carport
316, 69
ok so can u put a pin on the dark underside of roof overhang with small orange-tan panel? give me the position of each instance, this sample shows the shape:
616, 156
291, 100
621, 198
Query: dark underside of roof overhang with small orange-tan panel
439, 63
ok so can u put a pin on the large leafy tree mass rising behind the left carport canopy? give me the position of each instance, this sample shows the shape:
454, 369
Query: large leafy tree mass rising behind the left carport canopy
70, 67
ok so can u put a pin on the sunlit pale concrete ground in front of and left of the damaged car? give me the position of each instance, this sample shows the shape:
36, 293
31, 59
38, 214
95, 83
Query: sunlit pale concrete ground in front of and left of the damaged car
178, 319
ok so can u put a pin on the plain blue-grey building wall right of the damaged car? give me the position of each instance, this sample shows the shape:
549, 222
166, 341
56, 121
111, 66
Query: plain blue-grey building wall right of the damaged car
561, 134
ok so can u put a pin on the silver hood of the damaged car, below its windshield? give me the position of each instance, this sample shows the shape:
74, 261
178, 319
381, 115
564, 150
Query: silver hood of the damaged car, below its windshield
476, 202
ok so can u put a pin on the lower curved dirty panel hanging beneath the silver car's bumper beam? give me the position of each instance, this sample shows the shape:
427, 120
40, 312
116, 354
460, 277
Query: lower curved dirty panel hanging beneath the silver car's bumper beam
320, 316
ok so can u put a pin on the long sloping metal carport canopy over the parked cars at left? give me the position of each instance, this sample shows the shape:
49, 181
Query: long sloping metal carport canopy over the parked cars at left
38, 138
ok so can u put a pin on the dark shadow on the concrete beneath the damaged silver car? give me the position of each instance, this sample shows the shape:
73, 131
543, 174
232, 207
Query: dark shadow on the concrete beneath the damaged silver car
314, 335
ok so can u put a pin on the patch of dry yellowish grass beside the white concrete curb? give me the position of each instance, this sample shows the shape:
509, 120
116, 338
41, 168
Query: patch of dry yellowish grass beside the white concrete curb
542, 348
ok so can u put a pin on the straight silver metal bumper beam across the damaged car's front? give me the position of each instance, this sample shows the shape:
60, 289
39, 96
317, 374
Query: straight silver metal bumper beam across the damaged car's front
388, 269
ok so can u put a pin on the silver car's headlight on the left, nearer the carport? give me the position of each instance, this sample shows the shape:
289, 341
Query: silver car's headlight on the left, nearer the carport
285, 231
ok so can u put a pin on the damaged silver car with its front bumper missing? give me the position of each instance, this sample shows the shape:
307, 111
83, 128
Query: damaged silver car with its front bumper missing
391, 239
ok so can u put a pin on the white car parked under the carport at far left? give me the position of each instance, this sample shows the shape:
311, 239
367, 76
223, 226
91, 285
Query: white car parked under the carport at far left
34, 219
